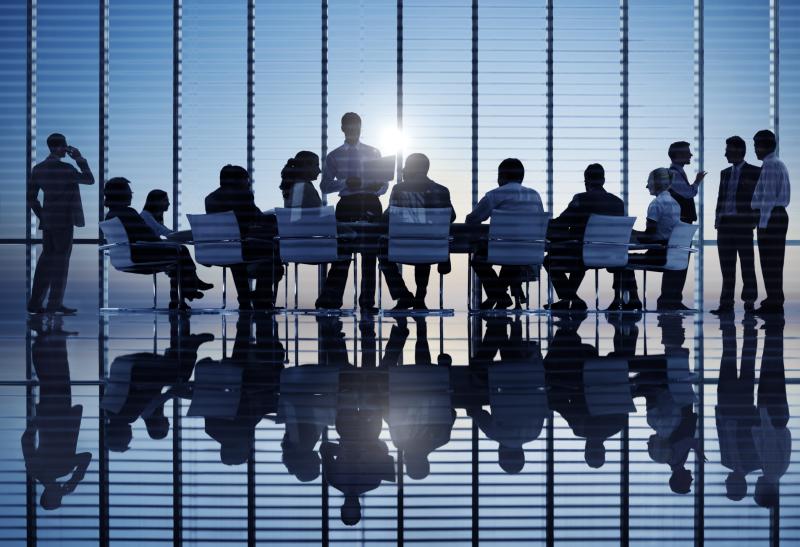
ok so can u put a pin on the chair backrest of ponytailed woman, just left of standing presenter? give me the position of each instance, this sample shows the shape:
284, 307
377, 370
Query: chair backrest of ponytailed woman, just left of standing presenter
307, 235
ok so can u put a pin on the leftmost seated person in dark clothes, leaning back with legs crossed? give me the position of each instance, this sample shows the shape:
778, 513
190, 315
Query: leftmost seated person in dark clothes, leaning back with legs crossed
117, 196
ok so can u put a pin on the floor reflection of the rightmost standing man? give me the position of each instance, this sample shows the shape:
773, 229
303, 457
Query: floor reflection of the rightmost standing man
772, 438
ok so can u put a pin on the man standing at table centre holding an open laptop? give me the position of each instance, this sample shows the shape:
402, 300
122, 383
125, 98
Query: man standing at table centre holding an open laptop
343, 172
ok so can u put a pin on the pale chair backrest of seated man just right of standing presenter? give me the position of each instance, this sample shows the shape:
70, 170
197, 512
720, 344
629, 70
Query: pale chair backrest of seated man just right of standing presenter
418, 235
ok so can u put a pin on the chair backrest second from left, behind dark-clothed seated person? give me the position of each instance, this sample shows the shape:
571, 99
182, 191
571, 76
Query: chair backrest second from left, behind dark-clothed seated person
216, 239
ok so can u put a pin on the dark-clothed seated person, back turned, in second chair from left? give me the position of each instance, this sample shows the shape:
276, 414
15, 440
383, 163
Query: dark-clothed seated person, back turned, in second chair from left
257, 231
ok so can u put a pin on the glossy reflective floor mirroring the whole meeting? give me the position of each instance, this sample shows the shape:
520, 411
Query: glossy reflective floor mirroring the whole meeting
151, 429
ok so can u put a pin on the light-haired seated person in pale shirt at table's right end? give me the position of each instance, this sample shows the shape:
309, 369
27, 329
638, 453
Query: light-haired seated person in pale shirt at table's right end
663, 214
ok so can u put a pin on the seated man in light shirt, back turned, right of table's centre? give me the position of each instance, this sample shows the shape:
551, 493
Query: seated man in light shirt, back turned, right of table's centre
509, 196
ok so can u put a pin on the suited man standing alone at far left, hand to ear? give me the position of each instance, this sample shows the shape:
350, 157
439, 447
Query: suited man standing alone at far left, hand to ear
58, 215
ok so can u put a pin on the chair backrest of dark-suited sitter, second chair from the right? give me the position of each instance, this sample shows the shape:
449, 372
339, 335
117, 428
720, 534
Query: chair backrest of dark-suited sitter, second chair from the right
605, 241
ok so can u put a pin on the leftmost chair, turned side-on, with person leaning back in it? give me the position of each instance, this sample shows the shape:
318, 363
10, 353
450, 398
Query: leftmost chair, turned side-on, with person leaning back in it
119, 251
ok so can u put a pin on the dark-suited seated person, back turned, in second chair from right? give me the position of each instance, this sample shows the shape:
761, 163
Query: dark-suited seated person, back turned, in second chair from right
564, 262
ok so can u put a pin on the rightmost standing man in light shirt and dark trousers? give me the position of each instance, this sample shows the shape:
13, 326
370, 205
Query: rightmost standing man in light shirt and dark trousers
770, 199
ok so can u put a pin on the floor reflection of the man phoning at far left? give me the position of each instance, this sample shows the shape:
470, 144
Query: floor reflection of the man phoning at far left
49, 443
